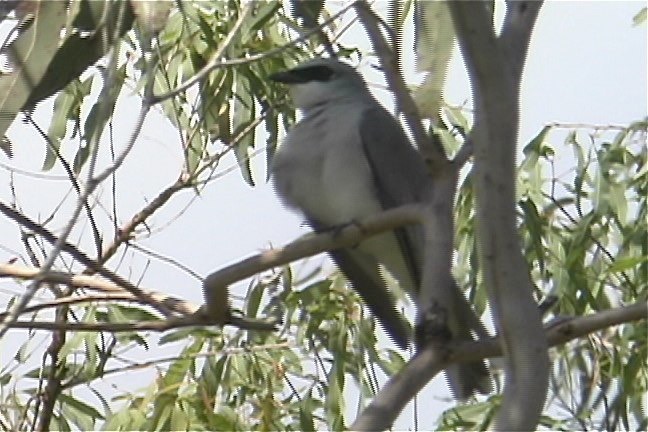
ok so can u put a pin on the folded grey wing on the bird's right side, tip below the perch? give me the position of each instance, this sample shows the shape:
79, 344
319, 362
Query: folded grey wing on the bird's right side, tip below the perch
400, 177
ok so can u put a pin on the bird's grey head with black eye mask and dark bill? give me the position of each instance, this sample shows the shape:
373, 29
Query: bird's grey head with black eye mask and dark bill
321, 80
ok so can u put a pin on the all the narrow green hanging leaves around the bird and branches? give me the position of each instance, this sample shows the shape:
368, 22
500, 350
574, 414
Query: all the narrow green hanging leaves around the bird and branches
583, 231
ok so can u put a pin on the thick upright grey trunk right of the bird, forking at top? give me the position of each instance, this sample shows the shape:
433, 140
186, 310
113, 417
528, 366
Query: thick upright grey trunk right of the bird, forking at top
494, 66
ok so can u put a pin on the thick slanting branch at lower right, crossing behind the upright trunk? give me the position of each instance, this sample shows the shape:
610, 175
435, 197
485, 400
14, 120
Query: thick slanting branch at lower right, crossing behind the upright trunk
402, 387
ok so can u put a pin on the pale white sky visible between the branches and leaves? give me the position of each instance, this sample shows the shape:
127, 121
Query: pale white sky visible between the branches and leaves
586, 64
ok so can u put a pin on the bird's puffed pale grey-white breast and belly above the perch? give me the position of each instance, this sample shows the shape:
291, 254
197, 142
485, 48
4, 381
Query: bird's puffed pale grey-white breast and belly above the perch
321, 167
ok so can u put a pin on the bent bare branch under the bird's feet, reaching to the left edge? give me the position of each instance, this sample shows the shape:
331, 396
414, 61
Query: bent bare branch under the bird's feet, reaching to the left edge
216, 309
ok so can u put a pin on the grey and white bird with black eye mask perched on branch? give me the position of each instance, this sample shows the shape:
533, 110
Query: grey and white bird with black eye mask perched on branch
349, 158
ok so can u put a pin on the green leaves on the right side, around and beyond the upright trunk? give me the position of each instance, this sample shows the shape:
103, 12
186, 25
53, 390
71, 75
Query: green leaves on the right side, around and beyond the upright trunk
585, 243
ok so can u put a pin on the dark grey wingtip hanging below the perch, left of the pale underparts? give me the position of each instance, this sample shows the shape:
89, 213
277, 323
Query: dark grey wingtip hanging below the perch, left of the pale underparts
364, 275
